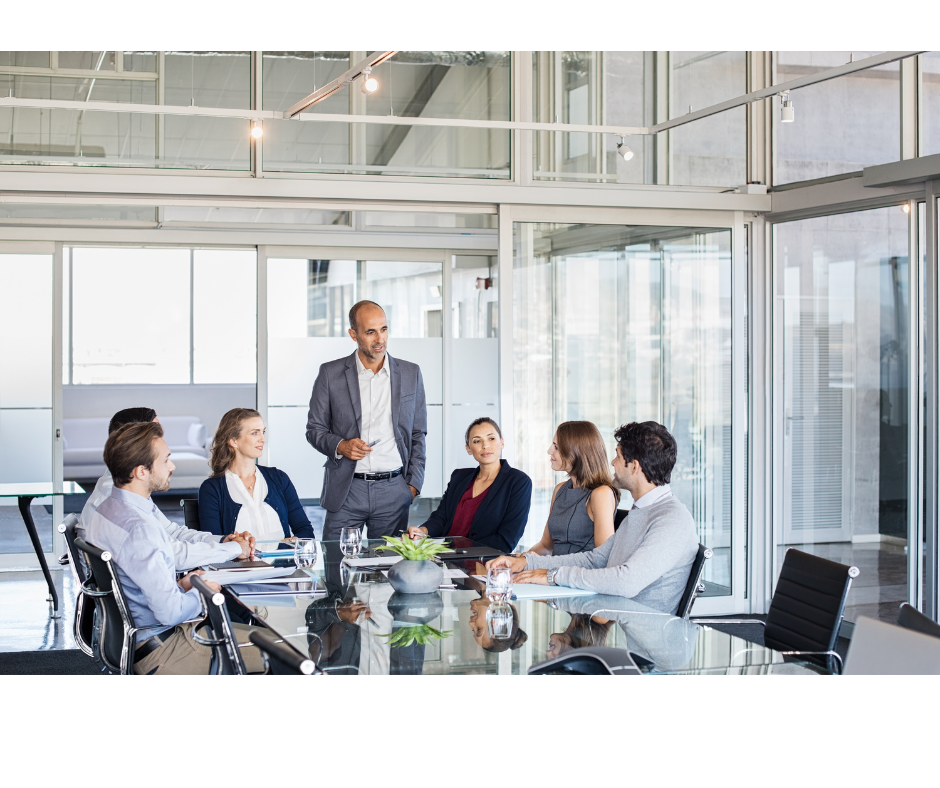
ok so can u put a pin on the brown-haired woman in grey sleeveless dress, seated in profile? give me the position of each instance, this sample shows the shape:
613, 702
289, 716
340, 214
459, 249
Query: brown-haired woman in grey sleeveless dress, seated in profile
582, 513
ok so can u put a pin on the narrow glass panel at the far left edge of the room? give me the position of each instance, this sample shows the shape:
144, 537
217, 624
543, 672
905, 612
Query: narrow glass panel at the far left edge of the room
26, 325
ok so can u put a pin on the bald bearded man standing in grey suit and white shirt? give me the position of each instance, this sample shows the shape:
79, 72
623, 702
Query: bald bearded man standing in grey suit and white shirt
368, 415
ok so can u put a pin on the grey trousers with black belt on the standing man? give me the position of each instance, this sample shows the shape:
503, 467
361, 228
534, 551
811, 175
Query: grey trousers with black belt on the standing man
381, 505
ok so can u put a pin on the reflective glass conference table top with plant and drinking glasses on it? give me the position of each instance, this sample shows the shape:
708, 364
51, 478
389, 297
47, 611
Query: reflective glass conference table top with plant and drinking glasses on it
356, 624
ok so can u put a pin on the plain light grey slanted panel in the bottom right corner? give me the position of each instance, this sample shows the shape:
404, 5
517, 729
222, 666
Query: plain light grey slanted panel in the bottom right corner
882, 649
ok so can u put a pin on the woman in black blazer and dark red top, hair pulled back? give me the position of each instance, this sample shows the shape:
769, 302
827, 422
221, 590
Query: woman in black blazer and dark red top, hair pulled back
488, 504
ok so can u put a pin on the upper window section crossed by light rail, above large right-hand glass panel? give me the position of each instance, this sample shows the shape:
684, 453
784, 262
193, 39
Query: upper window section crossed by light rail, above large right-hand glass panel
639, 88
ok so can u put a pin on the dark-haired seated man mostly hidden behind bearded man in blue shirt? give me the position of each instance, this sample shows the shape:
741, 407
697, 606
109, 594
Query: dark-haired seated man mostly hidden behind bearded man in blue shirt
190, 548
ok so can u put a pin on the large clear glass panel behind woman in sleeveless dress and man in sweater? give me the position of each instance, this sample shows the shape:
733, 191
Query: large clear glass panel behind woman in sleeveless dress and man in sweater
615, 324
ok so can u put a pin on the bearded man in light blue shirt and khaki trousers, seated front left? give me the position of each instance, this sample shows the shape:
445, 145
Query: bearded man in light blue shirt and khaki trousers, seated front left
127, 525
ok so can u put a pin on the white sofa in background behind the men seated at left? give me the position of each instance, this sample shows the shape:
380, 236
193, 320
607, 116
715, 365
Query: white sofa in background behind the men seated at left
84, 439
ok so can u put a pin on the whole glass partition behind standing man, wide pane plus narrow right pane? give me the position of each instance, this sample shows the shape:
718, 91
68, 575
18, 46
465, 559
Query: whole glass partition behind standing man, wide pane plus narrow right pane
443, 314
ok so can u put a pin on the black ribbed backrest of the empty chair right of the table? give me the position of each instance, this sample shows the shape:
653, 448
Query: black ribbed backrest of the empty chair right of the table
806, 610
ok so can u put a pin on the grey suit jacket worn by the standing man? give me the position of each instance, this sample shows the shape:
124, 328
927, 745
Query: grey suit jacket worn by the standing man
336, 415
